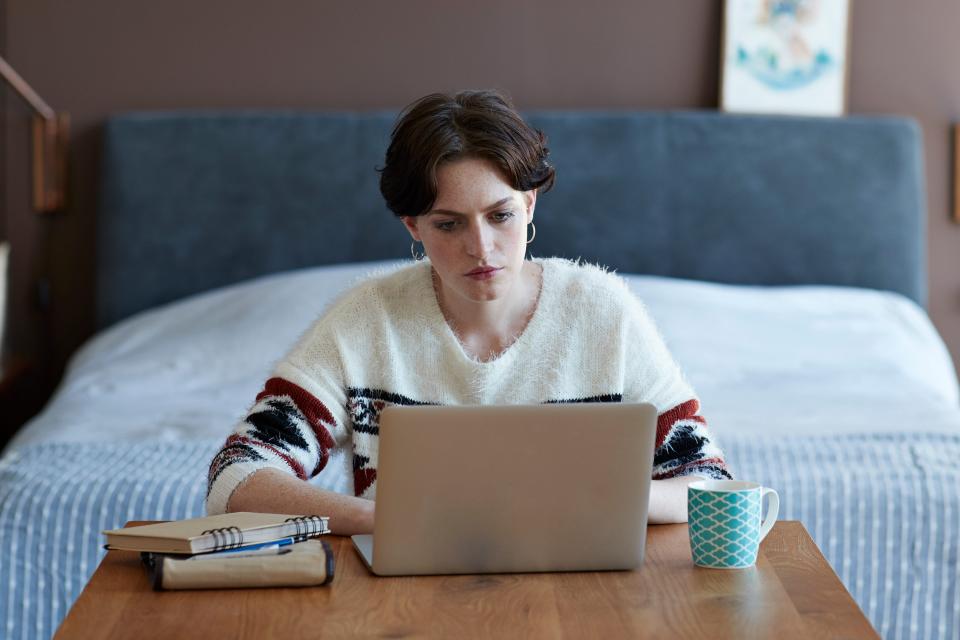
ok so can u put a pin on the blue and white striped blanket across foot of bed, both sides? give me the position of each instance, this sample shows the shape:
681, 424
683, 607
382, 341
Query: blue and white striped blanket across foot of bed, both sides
884, 510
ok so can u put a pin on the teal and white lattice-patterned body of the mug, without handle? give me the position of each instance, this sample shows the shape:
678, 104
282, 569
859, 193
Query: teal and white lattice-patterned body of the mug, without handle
724, 529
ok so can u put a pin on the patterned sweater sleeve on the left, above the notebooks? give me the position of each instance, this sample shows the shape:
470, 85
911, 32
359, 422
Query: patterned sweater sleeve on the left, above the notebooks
293, 426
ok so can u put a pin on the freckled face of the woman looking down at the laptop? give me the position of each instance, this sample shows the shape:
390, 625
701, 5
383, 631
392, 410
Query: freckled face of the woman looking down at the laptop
476, 233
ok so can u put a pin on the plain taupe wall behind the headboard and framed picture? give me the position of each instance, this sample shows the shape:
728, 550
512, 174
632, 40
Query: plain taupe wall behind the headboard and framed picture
101, 56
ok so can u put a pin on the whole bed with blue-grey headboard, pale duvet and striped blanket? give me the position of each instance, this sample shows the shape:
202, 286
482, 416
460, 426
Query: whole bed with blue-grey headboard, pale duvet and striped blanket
783, 259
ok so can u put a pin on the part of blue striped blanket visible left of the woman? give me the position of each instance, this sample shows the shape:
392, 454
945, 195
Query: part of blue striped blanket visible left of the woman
55, 499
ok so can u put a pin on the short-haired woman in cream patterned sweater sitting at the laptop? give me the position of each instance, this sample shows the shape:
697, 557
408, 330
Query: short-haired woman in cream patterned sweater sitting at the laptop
470, 322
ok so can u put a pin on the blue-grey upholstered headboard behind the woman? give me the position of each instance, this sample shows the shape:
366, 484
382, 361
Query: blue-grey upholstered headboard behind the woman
193, 201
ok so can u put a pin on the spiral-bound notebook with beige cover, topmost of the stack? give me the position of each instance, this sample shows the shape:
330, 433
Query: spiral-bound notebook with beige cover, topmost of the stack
216, 533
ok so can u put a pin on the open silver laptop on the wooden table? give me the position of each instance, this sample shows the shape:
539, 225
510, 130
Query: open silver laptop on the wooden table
503, 489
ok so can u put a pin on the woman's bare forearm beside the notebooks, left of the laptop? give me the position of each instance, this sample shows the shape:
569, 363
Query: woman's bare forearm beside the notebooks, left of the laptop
273, 491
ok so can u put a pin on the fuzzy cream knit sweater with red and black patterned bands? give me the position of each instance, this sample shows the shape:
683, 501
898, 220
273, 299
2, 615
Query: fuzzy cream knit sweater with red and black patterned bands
386, 342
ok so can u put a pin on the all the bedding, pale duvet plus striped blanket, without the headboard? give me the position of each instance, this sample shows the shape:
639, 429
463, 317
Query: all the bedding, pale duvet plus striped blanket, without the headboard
844, 400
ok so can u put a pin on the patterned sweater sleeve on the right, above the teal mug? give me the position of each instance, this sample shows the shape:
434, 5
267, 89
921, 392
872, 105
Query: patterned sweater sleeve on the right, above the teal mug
684, 445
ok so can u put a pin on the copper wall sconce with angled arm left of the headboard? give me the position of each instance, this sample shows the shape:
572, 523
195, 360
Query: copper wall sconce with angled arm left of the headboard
49, 144
